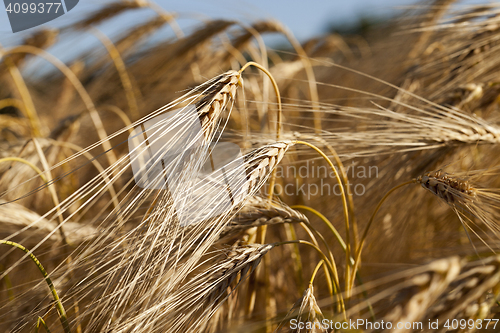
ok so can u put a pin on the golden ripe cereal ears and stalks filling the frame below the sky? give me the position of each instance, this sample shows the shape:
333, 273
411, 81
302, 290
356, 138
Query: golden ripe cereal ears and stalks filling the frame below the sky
370, 186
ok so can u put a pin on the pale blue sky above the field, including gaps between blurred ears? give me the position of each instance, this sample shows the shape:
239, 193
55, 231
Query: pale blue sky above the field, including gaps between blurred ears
305, 18
